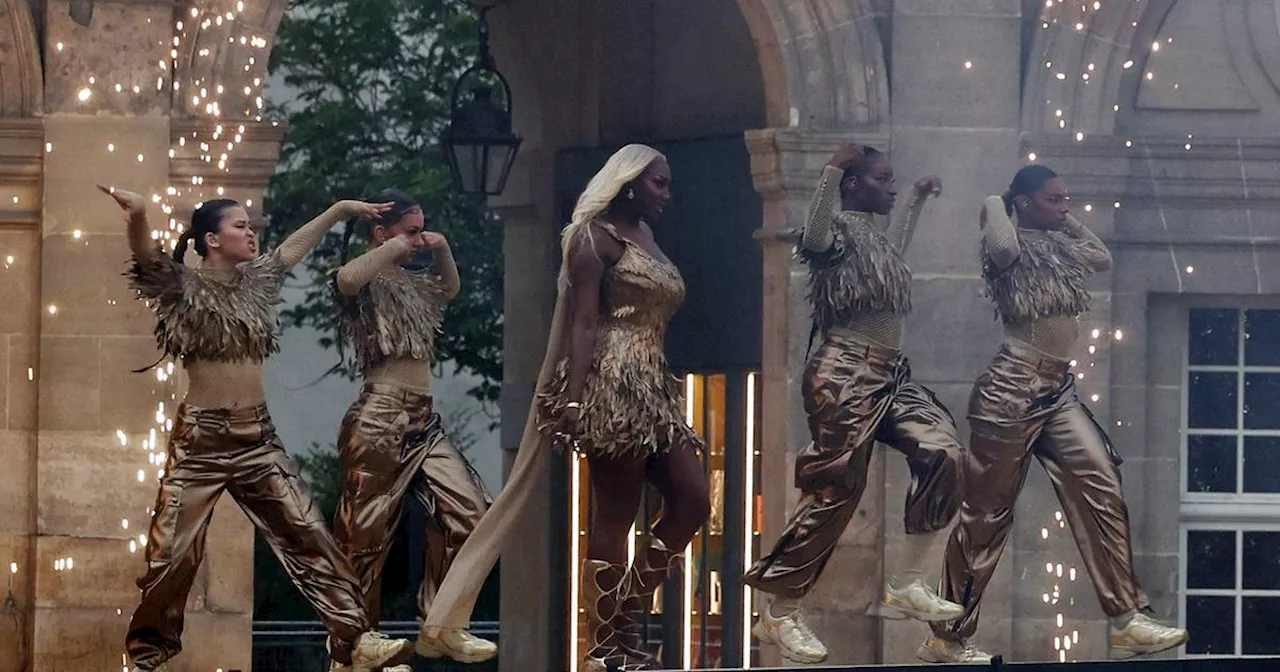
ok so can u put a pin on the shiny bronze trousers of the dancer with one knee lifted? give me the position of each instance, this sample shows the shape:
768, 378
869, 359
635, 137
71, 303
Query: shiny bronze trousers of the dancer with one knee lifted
857, 394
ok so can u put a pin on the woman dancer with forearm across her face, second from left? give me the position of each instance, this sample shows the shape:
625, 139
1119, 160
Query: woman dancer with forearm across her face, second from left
391, 440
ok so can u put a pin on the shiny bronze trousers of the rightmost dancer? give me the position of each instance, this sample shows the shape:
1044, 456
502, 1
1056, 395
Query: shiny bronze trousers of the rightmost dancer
1026, 406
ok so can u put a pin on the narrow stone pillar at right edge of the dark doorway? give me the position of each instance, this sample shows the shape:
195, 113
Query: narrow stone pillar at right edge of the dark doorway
787, 164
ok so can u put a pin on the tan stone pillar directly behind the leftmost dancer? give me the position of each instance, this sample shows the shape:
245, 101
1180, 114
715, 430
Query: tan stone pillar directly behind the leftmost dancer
100, 429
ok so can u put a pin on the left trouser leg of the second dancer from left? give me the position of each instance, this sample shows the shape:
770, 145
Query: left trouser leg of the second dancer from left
371, 446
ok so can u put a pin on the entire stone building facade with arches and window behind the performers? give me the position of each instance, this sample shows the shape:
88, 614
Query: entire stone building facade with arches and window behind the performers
1160, 115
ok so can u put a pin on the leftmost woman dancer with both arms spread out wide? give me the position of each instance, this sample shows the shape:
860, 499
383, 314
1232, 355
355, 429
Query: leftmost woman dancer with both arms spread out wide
220, 321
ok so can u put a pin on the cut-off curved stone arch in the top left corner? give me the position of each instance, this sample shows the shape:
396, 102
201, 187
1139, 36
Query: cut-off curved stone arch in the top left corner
21, 80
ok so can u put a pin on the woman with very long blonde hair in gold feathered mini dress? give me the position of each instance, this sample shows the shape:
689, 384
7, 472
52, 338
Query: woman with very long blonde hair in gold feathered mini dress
605, 391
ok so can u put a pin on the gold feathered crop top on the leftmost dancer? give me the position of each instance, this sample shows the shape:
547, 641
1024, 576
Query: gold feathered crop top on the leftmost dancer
213, 316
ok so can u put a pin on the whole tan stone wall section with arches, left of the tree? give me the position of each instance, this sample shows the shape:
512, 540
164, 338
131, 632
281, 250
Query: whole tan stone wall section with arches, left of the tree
162, 99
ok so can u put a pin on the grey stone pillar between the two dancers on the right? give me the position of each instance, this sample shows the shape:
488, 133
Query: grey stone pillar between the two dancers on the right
961, 124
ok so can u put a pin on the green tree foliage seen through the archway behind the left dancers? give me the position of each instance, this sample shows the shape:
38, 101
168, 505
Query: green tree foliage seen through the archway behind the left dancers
367, 97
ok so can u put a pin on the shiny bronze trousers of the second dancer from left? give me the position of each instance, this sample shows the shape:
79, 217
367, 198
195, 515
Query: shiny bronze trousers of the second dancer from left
391, 444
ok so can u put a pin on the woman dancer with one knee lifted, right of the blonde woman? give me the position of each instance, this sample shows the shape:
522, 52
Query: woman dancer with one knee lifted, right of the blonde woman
858, 391
